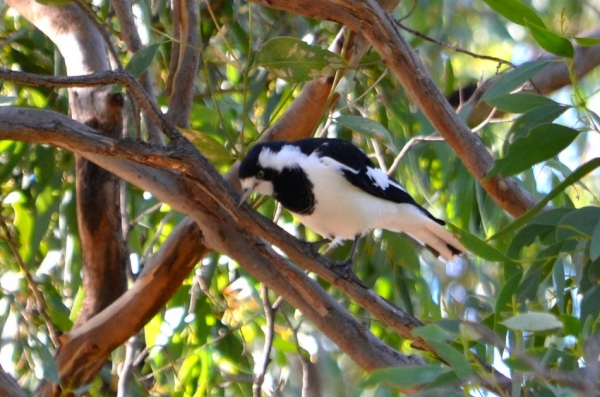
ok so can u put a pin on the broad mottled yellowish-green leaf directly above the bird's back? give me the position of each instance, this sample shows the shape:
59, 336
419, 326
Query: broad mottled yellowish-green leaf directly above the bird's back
295, 61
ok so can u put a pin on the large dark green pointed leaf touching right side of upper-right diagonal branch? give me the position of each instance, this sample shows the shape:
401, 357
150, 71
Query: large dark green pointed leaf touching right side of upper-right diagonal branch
542, 143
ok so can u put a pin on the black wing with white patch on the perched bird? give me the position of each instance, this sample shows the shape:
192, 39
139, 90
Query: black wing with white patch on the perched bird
358, 168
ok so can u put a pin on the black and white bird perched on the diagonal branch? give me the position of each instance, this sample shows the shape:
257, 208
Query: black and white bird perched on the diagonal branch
333, 188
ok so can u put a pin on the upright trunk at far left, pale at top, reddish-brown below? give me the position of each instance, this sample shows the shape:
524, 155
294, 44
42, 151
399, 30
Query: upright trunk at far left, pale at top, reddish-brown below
103, 250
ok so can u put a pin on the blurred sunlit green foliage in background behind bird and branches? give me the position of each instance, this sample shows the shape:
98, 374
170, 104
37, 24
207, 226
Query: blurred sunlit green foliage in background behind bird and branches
529, 290
